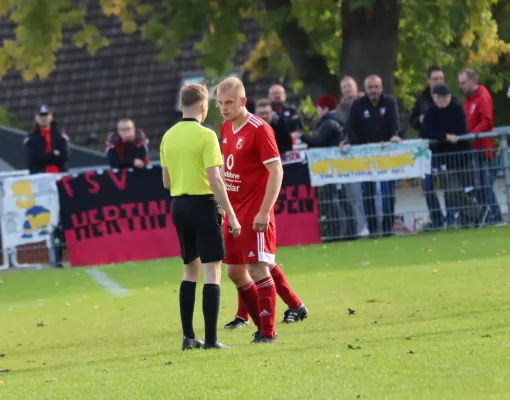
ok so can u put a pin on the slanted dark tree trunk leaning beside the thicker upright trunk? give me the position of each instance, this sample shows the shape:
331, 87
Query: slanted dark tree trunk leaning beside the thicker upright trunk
311, 66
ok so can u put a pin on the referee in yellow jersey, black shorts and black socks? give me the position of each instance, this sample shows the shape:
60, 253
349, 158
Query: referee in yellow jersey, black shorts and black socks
191, 161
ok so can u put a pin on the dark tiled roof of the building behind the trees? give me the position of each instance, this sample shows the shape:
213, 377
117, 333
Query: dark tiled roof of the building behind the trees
89, 93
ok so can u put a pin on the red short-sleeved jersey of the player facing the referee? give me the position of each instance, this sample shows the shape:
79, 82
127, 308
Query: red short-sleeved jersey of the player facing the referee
246, 150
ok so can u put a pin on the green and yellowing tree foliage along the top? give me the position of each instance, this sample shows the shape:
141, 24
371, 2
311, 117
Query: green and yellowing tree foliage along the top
451, 33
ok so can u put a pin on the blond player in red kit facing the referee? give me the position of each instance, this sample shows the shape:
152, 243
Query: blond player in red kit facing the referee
253, 176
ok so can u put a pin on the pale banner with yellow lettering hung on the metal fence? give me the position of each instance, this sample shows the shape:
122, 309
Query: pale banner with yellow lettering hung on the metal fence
369, 162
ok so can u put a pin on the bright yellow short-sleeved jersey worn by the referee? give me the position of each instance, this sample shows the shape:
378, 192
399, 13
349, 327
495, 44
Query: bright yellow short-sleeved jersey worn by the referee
187, 150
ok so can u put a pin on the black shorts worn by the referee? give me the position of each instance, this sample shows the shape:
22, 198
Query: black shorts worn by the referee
198, 221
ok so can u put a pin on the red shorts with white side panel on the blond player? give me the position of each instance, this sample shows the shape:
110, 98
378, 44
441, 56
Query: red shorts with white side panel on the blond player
250, 246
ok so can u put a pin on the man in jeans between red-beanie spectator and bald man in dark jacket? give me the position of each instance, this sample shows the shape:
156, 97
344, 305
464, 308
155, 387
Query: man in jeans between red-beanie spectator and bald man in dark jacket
349, 92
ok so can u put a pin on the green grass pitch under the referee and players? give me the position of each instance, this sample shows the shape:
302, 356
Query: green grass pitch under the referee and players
431, 322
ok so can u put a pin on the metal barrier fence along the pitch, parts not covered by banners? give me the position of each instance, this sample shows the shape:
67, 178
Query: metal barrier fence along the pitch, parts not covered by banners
466, 189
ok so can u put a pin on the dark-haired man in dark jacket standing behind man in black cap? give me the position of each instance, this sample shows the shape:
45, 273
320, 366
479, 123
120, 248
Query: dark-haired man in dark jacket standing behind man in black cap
435, 77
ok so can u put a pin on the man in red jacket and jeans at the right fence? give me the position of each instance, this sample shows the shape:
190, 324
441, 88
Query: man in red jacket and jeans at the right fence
479, 110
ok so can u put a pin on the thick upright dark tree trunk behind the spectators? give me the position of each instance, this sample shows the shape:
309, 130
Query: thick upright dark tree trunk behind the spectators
370, 41
